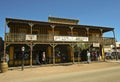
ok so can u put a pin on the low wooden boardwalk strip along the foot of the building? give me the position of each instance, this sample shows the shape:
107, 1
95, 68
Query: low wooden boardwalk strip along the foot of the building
62, 64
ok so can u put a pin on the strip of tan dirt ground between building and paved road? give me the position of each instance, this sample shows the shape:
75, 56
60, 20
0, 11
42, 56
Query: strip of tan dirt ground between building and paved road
42, 71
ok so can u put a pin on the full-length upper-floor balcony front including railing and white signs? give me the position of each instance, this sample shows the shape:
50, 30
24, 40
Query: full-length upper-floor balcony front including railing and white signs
18, 37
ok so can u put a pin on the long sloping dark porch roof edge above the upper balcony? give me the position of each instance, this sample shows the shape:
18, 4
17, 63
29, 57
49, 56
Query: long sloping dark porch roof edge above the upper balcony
24, 21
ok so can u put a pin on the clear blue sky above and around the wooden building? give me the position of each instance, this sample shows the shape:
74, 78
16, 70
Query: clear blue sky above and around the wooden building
89, 12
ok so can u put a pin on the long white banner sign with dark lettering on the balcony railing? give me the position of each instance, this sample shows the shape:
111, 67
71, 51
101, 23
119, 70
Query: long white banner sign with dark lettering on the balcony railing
70, 38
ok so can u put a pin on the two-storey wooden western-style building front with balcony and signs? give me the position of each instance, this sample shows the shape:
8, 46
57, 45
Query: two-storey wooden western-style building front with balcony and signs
61, 39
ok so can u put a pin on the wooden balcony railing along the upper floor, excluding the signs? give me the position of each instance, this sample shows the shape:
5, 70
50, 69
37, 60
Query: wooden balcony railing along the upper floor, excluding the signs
18, 37
